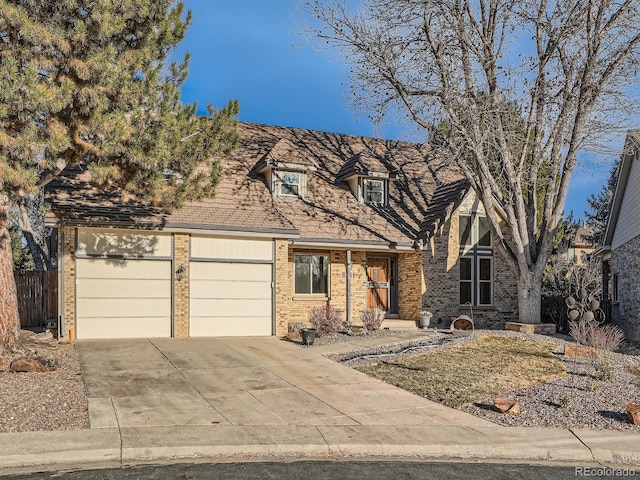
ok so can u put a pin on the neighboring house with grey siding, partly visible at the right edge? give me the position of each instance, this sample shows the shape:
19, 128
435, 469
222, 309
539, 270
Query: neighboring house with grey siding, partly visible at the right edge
621, 249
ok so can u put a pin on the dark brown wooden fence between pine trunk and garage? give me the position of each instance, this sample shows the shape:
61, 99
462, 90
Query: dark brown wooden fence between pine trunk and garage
37, 297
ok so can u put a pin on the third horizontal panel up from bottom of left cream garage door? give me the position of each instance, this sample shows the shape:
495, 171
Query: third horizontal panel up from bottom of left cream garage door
117, 288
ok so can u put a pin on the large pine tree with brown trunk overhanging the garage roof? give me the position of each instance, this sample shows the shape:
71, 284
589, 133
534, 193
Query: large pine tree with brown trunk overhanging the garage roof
88, 81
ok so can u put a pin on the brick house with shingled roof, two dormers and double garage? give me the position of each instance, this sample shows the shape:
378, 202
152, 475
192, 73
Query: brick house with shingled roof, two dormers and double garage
300, 219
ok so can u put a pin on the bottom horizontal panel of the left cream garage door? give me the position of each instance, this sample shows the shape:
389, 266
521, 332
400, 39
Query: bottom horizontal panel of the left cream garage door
147, 327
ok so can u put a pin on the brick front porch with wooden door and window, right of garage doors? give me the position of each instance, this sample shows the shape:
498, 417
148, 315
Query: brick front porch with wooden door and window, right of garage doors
352, 280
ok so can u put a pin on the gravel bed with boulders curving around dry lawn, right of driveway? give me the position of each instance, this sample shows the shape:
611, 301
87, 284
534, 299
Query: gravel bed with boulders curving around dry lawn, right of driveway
576, 400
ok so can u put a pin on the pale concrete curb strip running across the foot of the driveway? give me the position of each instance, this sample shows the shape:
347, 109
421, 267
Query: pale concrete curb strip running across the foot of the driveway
102, 448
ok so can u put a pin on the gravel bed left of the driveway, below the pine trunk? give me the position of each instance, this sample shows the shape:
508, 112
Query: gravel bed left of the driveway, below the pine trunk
54, 400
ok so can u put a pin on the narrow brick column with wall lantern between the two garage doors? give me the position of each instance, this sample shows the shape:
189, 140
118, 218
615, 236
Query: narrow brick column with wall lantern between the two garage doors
181, 287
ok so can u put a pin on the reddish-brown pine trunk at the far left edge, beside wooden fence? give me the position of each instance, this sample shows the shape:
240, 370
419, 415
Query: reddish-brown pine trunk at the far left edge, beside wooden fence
9, 316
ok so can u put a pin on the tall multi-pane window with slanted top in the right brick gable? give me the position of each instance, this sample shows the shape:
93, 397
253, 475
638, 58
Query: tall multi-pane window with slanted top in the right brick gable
476, 261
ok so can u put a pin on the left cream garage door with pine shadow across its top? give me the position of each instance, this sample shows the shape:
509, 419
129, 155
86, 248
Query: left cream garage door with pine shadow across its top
119, 296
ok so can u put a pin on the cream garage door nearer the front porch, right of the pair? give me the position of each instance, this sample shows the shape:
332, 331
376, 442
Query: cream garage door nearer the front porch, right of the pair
230, 287
